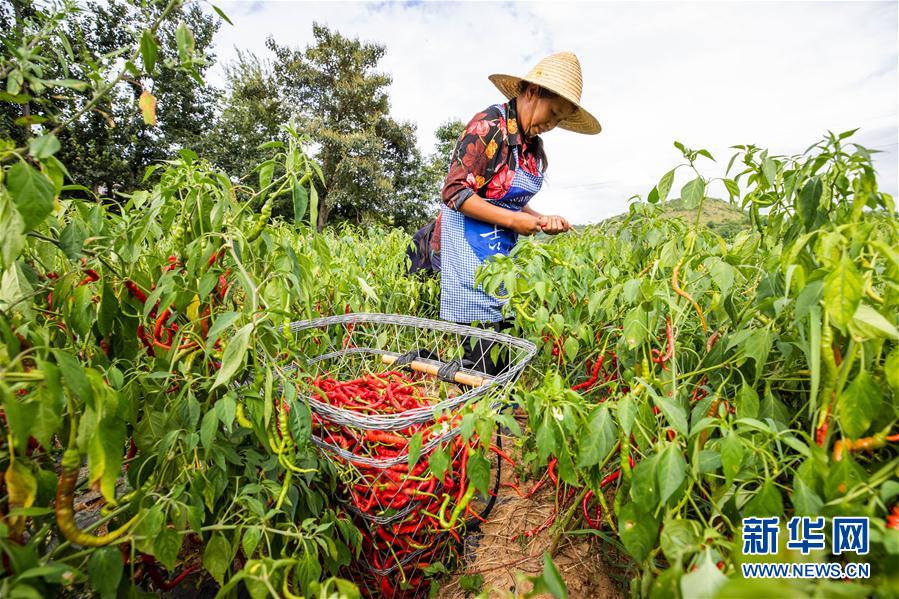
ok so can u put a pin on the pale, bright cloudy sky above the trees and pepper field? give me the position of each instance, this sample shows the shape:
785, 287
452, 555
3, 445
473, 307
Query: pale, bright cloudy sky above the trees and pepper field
709, 74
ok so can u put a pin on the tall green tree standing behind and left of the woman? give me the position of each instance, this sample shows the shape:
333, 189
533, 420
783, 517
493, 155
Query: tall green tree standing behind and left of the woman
371, 164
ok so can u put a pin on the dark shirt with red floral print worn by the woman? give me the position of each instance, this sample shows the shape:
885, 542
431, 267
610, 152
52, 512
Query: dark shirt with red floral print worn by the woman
483, 161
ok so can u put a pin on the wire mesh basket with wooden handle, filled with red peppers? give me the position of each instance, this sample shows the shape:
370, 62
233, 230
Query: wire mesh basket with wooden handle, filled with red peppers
380, 387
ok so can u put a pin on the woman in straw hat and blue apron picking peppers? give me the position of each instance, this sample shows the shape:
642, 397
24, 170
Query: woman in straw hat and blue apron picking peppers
496, 168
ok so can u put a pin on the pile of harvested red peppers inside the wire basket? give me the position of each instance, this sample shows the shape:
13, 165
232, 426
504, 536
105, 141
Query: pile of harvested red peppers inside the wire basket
409, 518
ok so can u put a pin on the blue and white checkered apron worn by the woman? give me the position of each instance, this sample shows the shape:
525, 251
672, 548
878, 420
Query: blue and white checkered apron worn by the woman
465, 243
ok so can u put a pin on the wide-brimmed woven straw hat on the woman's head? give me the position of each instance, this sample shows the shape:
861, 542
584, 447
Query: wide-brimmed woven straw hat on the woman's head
560, 73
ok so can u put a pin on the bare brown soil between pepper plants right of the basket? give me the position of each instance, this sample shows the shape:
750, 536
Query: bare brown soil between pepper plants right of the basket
589, 567
